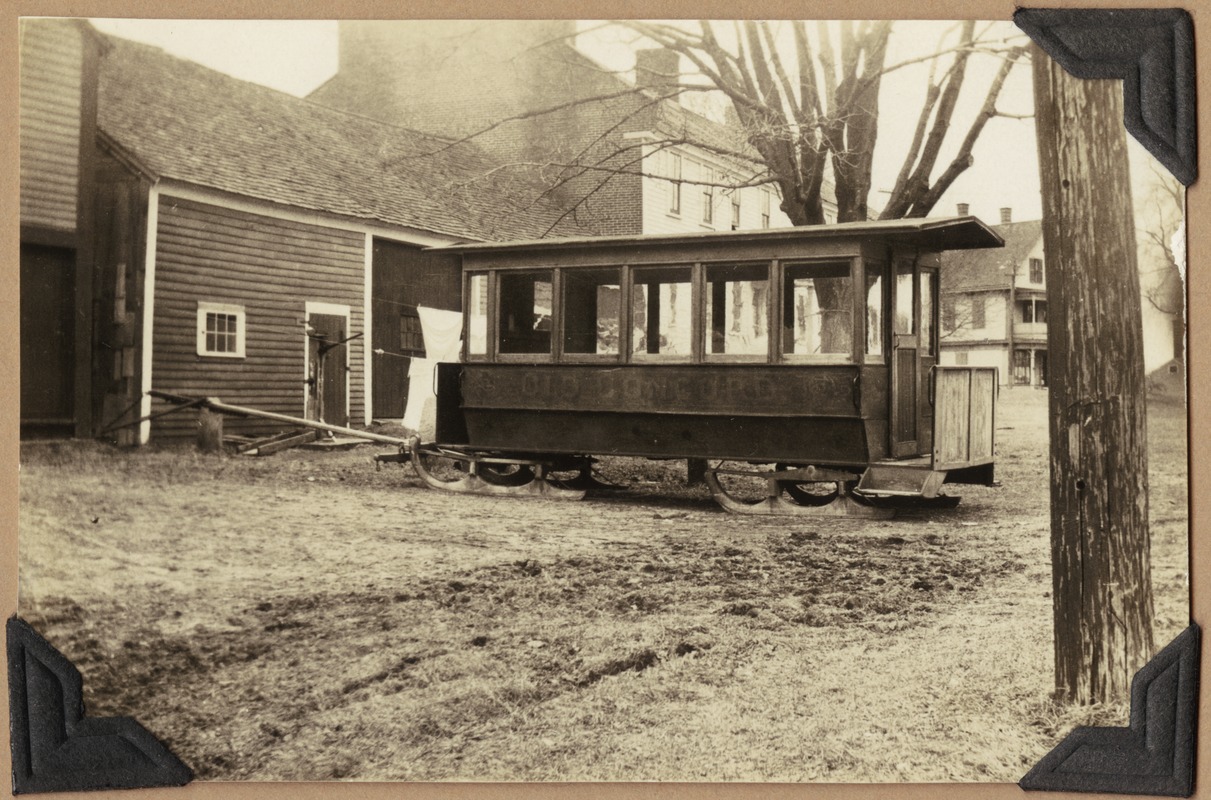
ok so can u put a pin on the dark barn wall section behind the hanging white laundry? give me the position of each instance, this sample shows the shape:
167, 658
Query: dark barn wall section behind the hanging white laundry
405, 278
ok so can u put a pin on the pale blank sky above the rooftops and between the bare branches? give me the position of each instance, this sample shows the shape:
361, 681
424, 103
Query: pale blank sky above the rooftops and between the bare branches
299, 56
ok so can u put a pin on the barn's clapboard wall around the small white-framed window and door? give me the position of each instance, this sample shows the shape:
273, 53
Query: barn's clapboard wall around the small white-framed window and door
272, 268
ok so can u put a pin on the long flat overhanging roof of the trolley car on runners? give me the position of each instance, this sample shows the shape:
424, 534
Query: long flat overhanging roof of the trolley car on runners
940, 234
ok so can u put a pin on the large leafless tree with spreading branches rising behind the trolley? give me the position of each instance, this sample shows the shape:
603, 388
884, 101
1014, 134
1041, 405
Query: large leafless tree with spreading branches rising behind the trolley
806, 99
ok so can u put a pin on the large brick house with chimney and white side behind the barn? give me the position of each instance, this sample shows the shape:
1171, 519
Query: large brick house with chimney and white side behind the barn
625, 158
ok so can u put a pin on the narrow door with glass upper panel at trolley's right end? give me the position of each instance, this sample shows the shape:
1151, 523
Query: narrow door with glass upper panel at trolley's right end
906, 377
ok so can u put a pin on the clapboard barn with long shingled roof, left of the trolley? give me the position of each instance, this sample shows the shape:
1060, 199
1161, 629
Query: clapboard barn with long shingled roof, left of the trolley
251, 245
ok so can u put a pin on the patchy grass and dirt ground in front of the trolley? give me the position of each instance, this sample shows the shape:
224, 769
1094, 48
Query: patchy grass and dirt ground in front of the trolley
307, 617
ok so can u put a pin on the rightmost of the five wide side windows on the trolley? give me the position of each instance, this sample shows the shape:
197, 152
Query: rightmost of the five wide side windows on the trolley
818, 310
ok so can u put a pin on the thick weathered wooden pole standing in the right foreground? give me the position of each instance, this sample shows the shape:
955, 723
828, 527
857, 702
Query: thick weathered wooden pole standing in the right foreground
1100, 548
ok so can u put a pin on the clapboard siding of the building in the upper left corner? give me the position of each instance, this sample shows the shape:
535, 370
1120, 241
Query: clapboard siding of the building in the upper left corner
51, 80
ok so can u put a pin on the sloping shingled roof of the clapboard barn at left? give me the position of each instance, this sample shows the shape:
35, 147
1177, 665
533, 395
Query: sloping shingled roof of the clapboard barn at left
188, 123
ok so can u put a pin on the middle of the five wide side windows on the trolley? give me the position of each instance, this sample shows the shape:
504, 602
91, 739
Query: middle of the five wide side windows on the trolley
662, 312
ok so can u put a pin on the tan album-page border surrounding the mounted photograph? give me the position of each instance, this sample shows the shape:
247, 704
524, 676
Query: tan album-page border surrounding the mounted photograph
1199, 337
